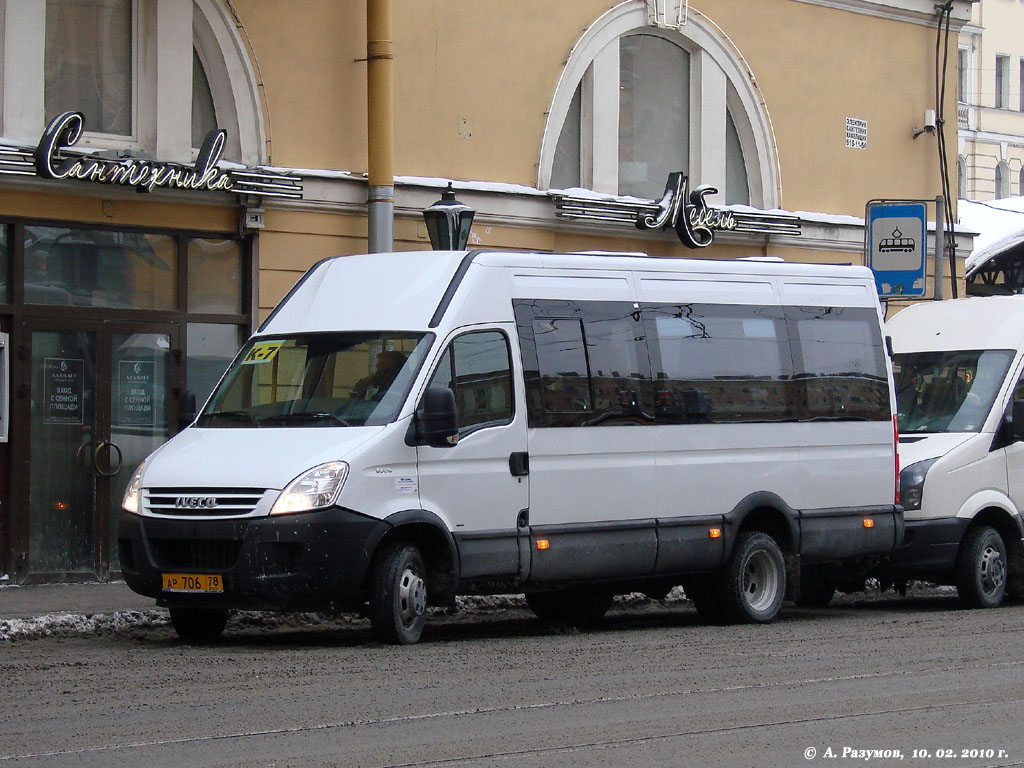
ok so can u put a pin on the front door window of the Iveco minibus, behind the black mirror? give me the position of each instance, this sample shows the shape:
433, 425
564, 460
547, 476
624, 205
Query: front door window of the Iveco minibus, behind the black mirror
477, 368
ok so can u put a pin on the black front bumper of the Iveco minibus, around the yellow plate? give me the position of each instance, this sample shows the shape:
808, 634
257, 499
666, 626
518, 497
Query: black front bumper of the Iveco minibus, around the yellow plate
309, 562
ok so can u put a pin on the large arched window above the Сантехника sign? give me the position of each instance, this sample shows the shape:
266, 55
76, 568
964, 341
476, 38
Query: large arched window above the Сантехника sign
106, 61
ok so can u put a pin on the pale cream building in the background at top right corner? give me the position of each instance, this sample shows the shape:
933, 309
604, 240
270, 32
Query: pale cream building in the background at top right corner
991, 109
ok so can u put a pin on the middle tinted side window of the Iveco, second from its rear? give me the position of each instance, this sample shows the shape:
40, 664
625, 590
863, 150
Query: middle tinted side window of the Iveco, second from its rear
719, 364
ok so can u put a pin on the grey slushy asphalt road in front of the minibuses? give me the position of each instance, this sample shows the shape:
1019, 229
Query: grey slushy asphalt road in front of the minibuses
497, 688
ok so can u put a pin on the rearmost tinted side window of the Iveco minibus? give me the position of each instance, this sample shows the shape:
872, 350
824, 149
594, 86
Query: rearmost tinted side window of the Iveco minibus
840, 364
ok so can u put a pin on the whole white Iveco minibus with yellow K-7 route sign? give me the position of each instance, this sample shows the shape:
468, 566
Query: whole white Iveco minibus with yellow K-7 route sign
409, 428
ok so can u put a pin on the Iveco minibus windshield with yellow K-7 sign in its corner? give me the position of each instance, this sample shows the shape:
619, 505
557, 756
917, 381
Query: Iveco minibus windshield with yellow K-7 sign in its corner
318, 380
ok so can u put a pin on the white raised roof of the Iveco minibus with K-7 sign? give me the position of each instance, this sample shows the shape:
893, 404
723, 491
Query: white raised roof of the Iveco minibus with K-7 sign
410, 291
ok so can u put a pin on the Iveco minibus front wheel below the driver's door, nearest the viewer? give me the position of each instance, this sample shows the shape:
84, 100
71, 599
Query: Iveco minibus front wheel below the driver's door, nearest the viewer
399, 595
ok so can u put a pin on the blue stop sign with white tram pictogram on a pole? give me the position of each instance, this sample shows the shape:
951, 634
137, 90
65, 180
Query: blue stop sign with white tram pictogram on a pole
897, 246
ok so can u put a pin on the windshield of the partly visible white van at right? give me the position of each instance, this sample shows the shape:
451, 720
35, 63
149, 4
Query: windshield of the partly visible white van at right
950, 392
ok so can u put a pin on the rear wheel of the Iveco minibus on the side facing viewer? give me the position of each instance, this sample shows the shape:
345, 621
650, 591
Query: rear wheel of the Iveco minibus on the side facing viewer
752, 588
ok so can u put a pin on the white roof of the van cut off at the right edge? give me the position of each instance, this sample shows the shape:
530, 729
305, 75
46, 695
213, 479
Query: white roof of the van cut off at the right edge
978, 323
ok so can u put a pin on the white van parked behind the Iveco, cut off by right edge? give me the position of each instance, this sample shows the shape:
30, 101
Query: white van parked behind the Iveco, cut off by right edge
959, 368
